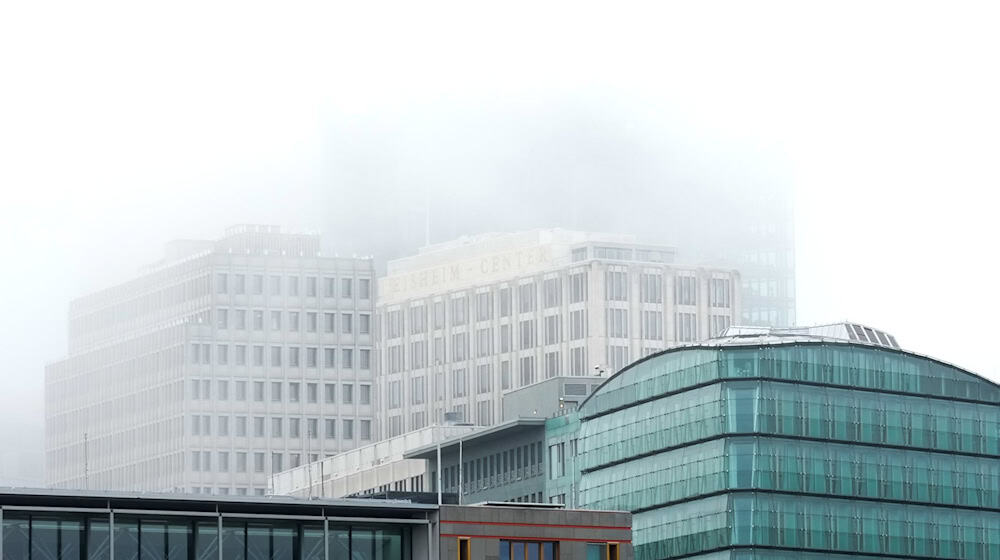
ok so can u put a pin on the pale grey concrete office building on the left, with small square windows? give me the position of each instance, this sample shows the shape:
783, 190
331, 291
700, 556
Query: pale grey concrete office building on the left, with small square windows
225, 362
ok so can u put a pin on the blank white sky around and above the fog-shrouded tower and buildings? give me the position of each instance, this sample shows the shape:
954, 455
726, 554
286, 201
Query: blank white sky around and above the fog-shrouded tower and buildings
126, 124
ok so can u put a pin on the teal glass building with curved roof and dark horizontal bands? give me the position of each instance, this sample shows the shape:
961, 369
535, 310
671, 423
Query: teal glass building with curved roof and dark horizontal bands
776, 445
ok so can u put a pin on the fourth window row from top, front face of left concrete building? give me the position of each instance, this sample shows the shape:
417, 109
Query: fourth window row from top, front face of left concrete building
202, 389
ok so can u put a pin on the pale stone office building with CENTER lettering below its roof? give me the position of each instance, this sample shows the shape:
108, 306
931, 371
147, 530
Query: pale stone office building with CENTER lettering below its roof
462, 323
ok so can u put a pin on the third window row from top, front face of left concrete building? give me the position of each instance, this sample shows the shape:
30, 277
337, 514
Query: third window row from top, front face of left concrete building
258, 355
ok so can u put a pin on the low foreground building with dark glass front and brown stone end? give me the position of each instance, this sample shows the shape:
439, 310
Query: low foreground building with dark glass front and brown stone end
109, 526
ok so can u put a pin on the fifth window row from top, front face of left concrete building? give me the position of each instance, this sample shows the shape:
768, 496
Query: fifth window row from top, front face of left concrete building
280, 427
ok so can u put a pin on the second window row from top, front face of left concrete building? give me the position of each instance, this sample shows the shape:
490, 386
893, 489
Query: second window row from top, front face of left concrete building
292, 321
